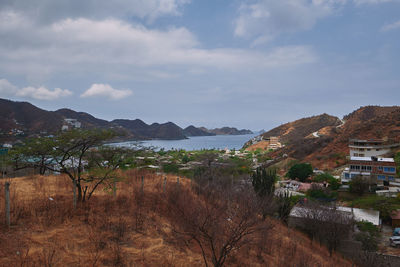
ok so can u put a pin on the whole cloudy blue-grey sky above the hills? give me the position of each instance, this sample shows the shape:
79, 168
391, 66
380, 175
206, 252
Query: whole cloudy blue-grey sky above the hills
251, 64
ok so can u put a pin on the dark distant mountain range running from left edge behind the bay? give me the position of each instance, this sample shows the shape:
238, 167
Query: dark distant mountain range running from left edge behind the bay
20, 119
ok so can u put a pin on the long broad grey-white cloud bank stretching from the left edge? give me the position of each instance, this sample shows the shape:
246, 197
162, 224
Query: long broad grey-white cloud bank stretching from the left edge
76, 44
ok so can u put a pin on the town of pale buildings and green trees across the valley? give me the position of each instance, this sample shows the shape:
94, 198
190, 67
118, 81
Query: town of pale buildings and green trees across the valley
365, 191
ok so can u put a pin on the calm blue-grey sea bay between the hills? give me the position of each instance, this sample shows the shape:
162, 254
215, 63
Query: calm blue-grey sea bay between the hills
195, 143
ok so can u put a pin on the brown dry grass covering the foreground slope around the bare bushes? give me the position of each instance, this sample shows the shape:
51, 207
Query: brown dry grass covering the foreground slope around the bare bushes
131, 229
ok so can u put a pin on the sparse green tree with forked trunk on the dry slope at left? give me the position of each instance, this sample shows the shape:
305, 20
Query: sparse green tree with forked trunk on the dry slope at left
78, 153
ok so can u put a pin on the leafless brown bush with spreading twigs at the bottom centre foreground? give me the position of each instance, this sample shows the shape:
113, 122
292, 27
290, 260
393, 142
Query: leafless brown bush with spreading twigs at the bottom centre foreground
219, 222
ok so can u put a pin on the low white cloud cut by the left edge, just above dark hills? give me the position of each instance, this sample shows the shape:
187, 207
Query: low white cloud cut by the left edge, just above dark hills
40, 93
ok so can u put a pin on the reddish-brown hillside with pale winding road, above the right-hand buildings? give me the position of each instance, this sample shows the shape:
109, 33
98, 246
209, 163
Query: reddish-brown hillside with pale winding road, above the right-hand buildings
323, 140
